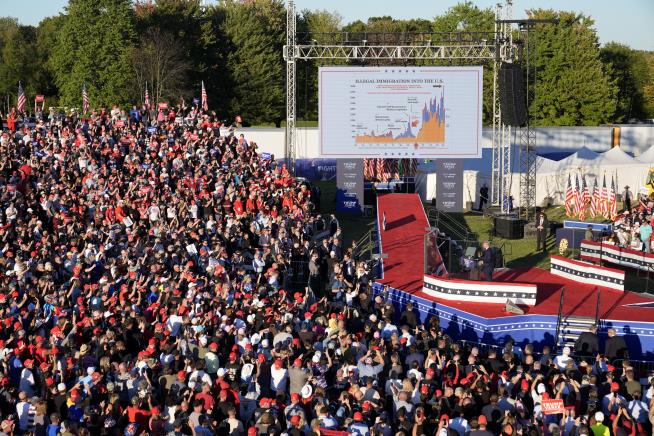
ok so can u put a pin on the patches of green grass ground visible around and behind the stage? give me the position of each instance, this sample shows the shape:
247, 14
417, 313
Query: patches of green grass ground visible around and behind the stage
517, 252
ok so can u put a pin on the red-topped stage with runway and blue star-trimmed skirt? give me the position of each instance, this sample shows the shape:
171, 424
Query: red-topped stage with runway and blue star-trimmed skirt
632, 314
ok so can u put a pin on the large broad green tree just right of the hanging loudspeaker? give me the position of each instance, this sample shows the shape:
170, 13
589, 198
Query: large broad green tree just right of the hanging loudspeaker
573, 86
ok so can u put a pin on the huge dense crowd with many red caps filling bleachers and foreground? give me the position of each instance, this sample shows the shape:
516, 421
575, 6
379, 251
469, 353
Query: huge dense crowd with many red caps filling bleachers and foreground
159, 275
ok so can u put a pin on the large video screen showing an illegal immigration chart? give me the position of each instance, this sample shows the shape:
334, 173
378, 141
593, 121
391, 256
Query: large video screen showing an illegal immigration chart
400, 112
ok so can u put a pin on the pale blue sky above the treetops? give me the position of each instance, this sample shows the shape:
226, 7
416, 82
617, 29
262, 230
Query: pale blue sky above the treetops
627, 21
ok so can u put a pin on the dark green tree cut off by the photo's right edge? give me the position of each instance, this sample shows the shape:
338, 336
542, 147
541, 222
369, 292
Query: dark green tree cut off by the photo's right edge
630, 72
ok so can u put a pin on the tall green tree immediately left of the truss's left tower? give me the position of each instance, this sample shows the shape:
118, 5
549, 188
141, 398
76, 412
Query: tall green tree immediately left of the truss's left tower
257, 32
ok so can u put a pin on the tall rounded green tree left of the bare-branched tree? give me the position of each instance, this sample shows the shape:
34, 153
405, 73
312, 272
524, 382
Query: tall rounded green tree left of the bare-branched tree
94, 47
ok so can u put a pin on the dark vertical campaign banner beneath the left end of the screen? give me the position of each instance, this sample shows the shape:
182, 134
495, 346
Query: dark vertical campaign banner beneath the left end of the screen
349, 185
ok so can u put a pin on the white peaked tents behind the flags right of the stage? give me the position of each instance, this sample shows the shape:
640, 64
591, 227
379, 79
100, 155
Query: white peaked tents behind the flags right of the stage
552, 176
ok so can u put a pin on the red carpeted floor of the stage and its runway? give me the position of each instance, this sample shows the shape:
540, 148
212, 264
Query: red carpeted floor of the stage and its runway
402, 241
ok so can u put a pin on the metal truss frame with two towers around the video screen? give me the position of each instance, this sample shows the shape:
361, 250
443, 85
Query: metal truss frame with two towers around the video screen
495, 47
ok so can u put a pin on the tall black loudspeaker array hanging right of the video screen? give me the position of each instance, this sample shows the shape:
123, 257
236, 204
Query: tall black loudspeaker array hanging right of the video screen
512, 95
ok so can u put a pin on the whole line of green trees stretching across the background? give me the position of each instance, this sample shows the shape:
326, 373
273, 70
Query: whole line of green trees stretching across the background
118, 47
